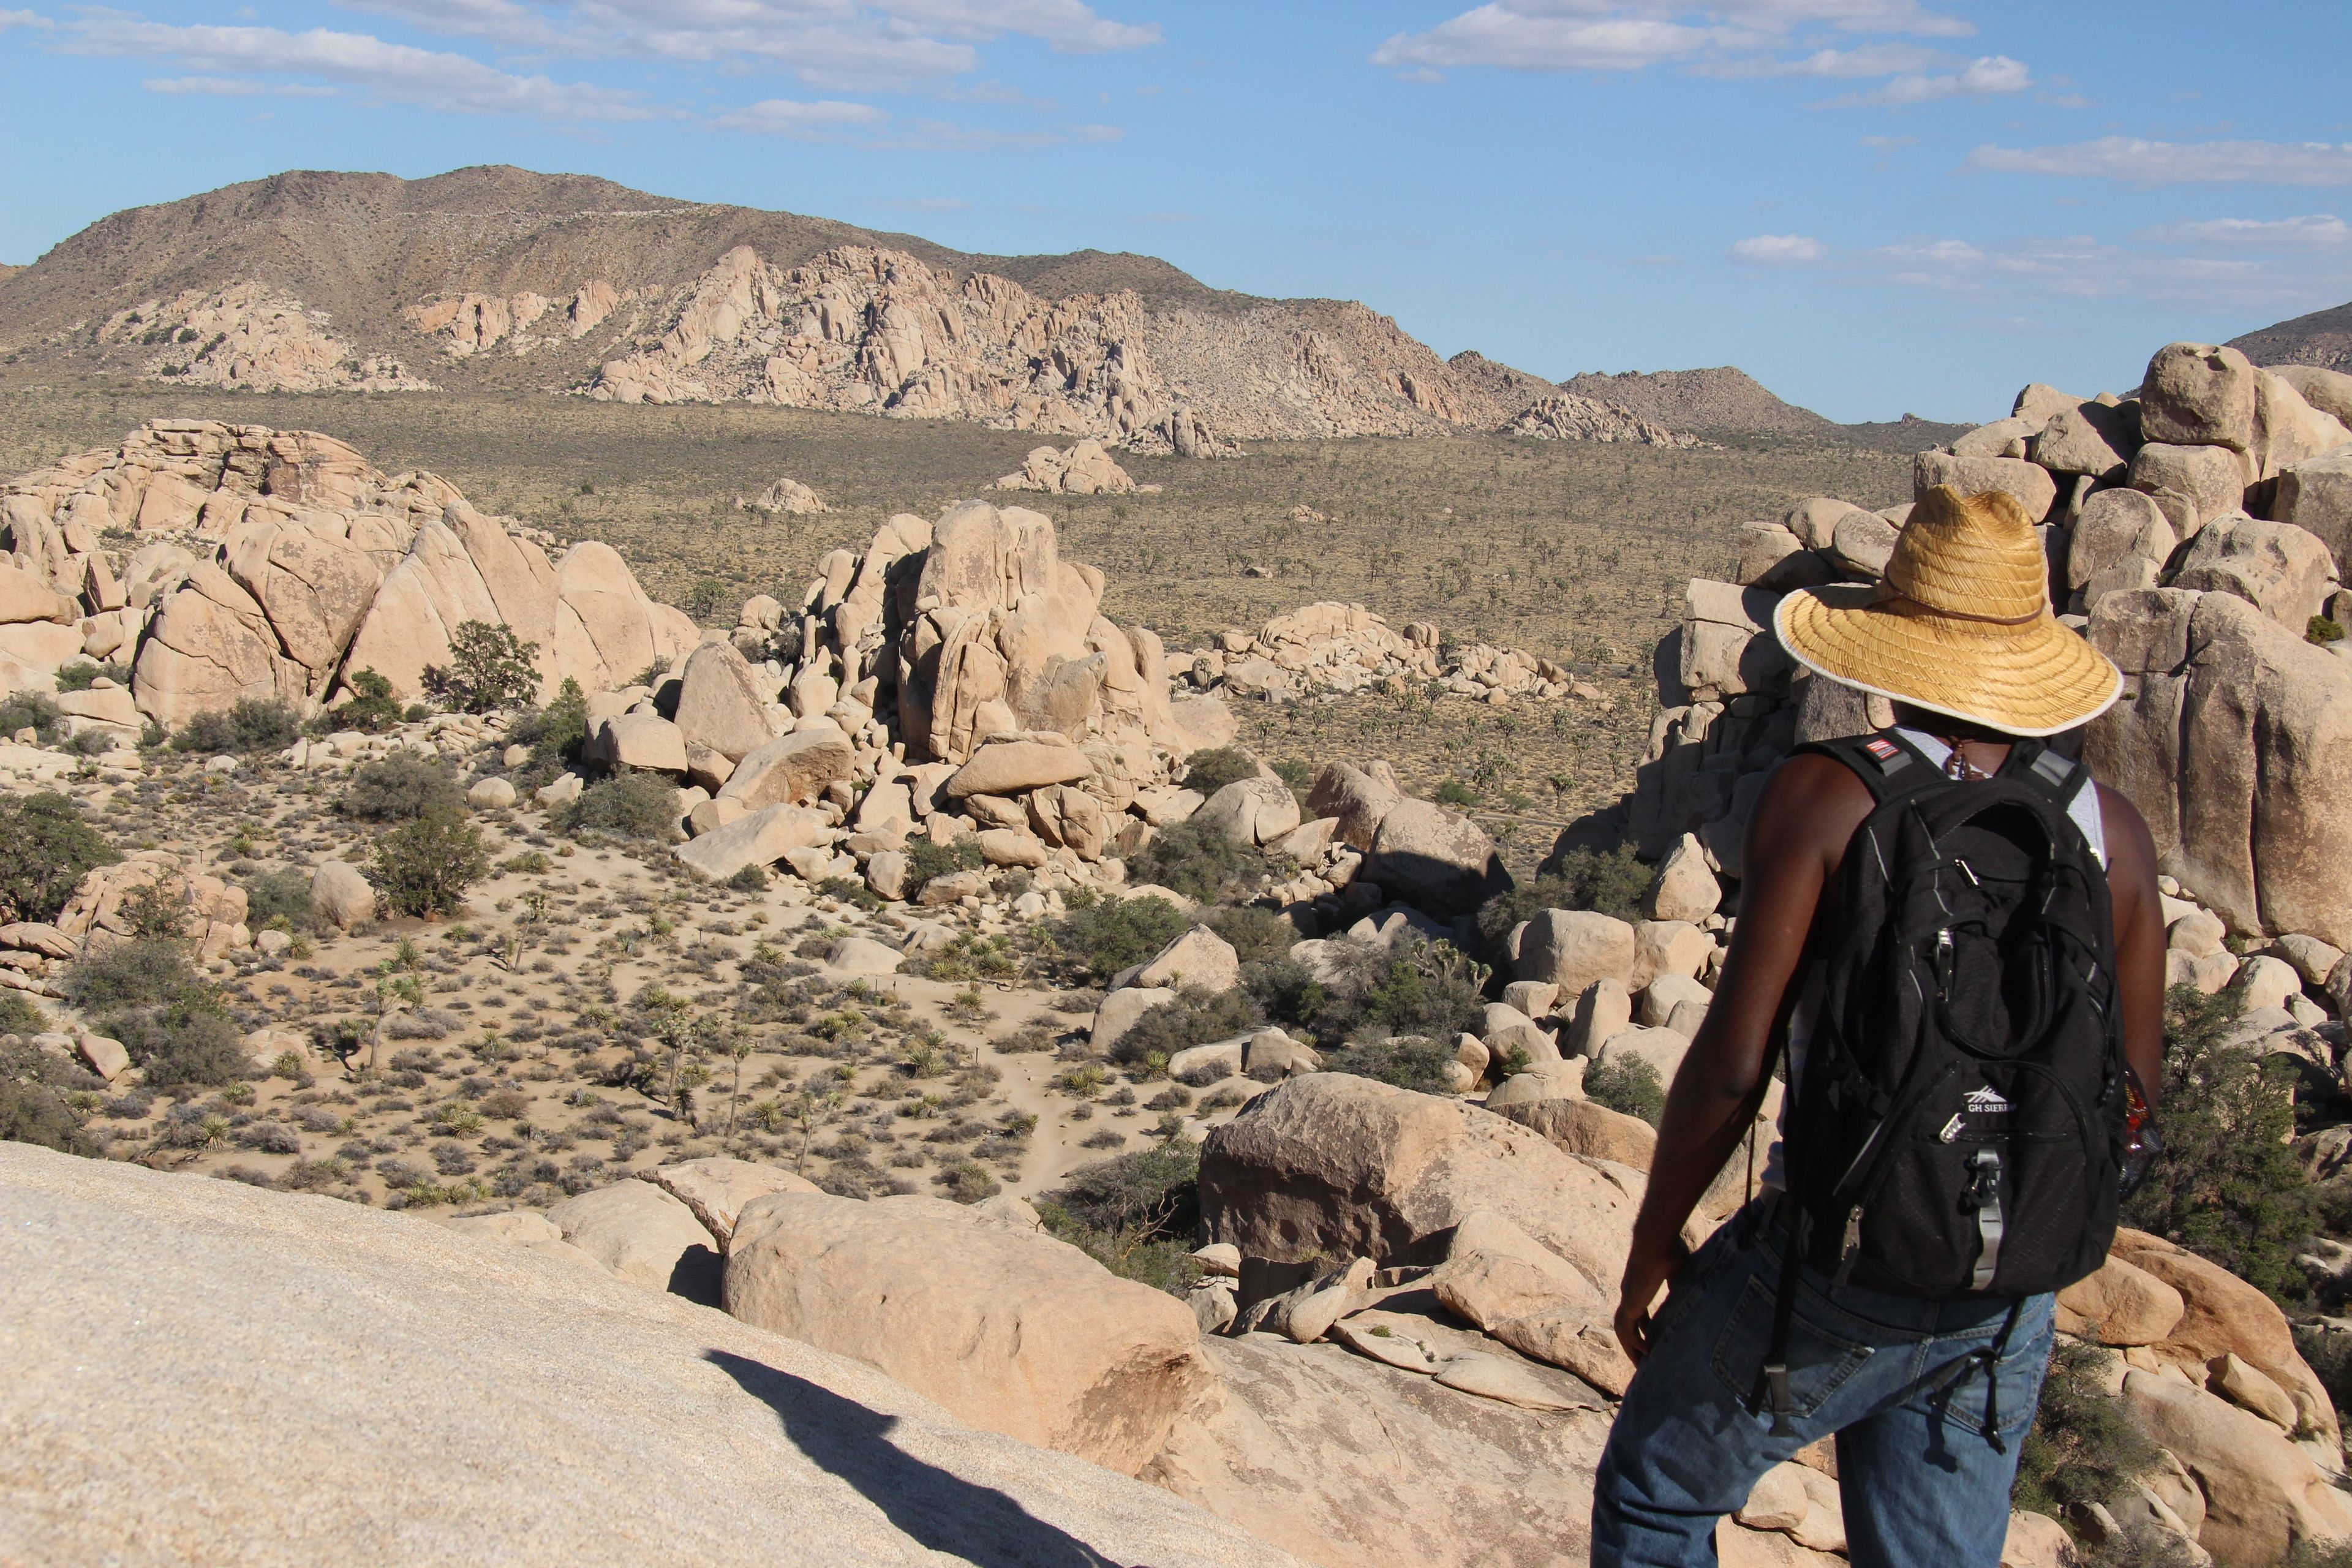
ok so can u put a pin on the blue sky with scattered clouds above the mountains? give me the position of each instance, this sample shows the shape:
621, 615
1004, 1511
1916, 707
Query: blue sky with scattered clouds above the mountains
1873, 206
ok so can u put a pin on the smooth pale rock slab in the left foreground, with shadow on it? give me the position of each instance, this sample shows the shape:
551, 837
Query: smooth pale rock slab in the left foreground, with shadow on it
128, 1292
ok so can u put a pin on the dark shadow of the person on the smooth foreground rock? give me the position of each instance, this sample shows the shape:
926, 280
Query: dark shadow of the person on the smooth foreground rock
930, 1506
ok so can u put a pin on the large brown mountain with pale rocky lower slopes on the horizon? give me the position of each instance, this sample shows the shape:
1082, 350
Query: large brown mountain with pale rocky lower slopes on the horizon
505, 279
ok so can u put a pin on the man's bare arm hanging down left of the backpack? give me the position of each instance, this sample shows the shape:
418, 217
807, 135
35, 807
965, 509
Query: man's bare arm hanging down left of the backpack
1796, 843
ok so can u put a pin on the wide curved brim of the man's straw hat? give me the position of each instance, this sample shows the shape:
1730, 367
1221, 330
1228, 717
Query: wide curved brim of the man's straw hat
2022, 681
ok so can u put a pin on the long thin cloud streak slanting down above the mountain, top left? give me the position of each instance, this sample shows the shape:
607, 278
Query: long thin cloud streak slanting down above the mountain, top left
394, 74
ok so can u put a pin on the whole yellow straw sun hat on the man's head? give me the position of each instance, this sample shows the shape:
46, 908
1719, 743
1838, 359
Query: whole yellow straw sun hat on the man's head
1960, 624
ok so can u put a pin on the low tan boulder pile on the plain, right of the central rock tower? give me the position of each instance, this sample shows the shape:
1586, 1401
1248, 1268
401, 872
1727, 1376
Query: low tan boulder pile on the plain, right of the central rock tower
1332, 648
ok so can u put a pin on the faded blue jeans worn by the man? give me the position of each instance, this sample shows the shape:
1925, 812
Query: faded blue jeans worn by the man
1920, 1482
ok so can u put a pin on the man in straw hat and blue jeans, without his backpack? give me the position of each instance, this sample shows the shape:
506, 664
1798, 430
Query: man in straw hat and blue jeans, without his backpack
1963, 641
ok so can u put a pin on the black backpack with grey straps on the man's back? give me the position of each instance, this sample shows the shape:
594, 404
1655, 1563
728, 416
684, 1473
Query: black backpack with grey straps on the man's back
1960, 1125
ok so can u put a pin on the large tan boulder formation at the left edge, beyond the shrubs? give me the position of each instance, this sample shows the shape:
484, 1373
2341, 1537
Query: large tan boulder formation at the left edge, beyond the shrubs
279, 565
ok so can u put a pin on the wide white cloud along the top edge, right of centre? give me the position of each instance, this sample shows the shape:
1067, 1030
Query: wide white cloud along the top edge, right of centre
1716, 36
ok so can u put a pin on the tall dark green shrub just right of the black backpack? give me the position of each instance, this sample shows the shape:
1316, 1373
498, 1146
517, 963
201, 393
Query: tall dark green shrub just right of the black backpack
2229, 1184
